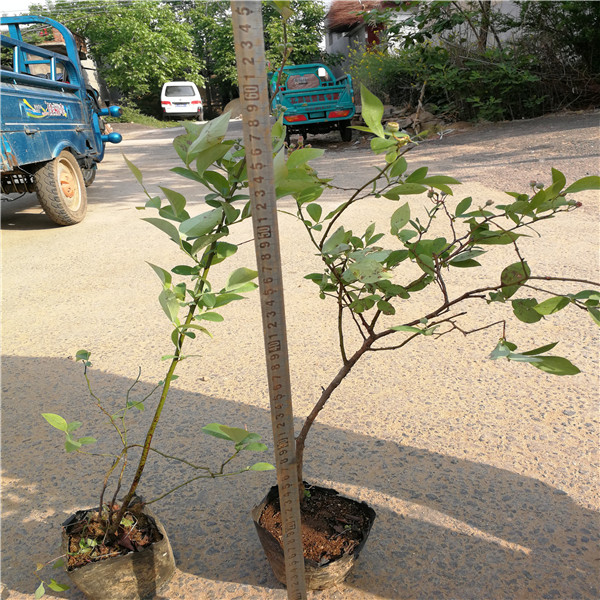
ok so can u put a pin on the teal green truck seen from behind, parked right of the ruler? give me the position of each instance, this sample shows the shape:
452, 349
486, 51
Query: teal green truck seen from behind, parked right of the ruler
313, 100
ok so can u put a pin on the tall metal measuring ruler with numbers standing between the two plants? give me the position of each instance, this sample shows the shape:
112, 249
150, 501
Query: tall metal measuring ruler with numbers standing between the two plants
252, 78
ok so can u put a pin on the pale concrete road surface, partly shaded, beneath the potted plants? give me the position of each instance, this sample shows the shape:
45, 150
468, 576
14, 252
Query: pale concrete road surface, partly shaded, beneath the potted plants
484, 474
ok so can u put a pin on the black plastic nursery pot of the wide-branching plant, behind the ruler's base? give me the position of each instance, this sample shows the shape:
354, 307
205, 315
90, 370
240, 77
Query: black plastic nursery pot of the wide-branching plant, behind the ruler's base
319, 575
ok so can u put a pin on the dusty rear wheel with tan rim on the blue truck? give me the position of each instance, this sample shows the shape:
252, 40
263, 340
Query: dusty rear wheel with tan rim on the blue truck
61, 189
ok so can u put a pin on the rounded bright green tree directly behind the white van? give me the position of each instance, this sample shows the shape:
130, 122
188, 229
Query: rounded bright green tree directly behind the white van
136, 45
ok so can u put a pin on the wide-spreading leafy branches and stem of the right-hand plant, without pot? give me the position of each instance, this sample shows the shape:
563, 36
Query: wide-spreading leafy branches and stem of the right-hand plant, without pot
369, 281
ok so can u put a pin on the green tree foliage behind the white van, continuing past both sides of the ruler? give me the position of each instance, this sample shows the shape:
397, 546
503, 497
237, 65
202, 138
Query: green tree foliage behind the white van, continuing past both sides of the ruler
140, 44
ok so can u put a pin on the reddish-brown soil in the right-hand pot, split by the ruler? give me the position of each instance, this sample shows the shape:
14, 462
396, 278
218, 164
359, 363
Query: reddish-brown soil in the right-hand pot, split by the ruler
331, 525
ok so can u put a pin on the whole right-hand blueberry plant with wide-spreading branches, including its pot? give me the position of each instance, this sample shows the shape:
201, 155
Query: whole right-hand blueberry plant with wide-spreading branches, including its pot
416, 264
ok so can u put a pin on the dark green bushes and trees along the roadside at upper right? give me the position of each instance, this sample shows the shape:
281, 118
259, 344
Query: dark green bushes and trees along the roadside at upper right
479, 60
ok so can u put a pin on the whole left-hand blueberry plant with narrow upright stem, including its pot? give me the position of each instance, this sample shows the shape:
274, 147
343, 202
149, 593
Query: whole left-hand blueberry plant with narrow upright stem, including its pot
119, 548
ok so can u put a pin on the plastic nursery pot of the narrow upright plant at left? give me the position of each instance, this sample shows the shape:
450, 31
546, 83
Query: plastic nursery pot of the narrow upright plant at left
132, 576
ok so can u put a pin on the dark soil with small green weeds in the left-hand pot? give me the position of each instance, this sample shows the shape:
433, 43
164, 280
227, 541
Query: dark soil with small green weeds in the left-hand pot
87, 537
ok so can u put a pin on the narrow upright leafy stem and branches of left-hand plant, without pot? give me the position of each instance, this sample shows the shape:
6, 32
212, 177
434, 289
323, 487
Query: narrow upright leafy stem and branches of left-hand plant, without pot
190, 302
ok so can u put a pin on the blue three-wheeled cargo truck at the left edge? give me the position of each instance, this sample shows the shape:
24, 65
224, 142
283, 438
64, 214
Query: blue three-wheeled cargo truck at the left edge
52, 130
